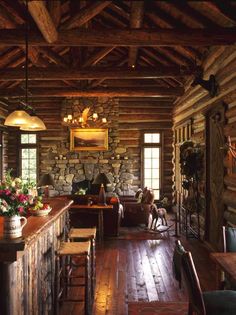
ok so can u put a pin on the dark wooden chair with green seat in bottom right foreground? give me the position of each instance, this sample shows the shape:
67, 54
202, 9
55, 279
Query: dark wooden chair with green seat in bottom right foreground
205, 303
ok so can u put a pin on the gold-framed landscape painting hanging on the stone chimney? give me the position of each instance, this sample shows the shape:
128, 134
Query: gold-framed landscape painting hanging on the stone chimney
83, 139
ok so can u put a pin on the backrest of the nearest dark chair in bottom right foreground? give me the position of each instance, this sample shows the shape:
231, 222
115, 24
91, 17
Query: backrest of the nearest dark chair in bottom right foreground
196, 302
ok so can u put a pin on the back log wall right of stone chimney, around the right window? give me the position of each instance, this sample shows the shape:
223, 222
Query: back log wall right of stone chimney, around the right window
142, 114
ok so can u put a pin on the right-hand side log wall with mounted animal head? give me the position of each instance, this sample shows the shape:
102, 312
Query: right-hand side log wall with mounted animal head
221, 61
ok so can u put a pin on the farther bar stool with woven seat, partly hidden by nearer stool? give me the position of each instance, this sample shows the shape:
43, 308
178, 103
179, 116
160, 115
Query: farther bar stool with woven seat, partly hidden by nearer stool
87, 234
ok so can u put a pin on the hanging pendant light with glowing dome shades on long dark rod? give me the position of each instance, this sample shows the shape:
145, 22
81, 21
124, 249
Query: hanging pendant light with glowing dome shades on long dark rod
20, 118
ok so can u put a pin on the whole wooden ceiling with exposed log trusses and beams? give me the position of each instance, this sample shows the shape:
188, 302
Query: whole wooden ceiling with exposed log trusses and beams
109, 48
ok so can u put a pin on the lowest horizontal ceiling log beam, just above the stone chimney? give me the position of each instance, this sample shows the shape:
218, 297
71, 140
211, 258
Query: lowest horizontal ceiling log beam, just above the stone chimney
99, 92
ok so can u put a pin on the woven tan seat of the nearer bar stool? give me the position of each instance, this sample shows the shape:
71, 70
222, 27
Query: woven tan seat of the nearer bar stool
74, 248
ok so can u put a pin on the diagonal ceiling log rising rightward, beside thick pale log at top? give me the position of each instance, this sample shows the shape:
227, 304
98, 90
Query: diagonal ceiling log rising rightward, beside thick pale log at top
86, 14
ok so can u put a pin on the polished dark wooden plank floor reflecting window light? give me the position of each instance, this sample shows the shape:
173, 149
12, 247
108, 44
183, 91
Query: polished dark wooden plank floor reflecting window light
141, 270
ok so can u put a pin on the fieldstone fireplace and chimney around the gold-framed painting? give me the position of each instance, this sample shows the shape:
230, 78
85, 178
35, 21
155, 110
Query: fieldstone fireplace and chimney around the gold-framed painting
69, 168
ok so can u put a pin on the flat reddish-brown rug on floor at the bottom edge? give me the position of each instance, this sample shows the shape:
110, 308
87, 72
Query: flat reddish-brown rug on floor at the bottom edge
157, 308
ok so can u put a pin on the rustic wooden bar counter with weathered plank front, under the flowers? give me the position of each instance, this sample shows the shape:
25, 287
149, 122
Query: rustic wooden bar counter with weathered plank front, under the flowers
27, 264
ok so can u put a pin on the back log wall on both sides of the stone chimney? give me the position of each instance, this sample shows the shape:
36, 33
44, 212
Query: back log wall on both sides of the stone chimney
135, 116
